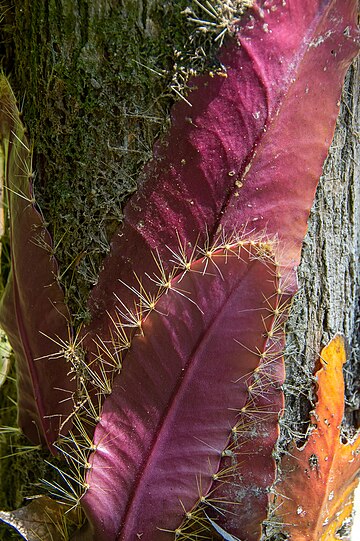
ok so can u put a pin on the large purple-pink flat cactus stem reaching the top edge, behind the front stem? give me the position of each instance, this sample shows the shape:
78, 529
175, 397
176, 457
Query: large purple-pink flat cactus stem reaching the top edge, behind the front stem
248, 152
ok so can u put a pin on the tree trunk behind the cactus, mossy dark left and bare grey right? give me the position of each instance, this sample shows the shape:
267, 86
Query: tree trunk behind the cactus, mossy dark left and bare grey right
93, 81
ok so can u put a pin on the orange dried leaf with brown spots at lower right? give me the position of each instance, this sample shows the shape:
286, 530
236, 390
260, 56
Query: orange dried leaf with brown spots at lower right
315, 495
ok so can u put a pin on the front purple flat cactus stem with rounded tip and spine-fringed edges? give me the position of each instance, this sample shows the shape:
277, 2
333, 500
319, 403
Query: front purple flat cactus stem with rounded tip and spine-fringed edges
179, 395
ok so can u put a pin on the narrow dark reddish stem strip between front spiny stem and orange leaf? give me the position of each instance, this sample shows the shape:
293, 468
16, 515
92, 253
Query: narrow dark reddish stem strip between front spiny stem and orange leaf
247, 468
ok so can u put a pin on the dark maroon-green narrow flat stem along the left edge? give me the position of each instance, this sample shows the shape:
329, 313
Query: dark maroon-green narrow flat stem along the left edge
32, 302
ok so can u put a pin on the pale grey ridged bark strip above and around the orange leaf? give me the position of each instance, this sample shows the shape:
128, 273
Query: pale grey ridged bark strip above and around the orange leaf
327, 301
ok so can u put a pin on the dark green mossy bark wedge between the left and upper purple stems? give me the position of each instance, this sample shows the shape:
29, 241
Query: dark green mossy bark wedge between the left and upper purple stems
93, 106
